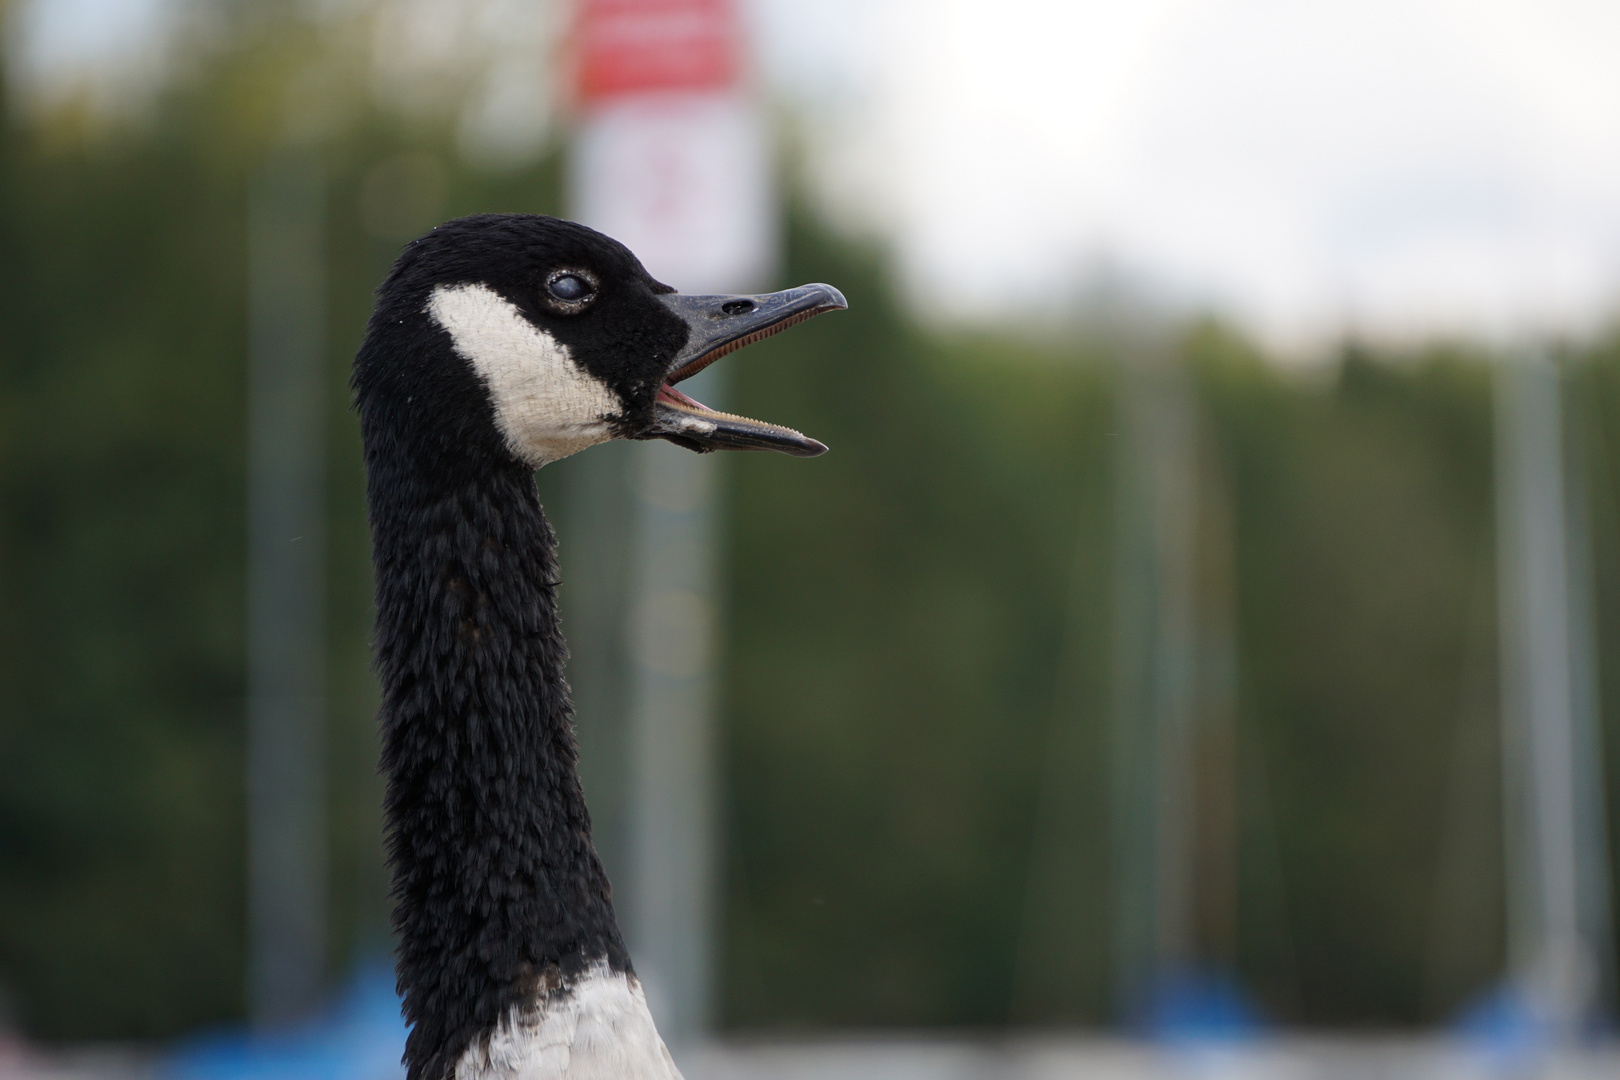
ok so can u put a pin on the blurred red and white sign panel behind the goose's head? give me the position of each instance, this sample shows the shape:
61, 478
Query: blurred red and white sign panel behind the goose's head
671, 155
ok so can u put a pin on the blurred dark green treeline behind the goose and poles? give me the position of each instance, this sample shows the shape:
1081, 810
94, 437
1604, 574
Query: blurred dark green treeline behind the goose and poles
919, 624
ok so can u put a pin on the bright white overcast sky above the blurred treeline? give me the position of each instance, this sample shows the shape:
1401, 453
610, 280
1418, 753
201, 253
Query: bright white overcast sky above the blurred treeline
1305, 166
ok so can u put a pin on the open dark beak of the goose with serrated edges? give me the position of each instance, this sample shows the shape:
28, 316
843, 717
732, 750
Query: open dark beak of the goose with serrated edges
723, 325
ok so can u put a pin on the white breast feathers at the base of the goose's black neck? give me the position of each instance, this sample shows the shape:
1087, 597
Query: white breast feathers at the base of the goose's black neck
595, 1029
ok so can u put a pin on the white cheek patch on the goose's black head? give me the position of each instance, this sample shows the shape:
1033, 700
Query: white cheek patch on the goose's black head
547, 406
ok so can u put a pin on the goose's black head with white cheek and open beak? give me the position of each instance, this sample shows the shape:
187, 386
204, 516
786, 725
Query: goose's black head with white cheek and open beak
532, 338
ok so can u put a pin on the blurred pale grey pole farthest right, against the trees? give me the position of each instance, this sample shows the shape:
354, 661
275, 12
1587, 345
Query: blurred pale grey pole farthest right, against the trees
1551, 763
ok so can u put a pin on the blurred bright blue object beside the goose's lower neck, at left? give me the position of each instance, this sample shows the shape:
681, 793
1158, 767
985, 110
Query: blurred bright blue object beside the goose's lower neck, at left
359, 1037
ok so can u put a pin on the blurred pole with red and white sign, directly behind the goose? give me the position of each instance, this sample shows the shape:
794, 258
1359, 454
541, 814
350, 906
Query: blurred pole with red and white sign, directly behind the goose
673, 161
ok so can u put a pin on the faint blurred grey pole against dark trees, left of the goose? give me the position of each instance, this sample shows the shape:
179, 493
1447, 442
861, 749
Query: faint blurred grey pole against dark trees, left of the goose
286, 589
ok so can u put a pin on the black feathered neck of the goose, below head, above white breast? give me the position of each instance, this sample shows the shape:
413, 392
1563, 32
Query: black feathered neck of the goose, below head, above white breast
498, 891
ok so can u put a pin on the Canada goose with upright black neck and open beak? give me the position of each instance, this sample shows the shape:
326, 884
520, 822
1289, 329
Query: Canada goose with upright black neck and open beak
500, 344
